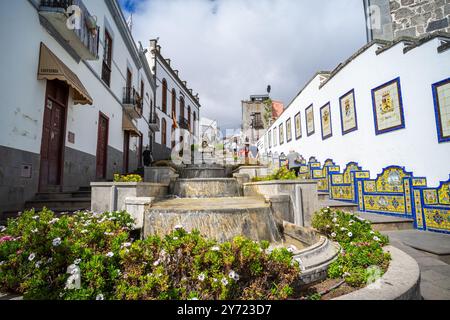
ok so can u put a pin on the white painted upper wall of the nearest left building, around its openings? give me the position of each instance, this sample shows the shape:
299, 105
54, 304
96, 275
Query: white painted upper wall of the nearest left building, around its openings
23, 95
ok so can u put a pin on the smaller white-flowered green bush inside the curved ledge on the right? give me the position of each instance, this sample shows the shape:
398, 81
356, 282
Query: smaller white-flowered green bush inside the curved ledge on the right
361, 246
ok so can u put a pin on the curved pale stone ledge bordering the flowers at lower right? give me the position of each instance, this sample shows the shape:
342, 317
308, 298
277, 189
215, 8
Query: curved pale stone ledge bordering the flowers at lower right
400, 282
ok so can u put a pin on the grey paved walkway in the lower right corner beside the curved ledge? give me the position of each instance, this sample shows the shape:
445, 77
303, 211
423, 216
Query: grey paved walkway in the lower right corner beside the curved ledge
432, 253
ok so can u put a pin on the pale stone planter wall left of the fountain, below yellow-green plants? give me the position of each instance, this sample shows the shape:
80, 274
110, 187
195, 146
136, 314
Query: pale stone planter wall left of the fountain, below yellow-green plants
111, 196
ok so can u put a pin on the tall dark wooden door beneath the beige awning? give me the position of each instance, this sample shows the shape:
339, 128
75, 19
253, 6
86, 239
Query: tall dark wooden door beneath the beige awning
53, 133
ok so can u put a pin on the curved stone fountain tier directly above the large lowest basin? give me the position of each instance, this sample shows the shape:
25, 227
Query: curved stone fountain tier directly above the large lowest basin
207, 188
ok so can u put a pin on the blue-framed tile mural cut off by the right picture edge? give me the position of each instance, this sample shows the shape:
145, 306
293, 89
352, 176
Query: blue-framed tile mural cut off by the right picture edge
441, 95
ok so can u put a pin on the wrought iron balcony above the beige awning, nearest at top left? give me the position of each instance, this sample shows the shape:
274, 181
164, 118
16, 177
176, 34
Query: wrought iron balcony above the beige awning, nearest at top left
82, 35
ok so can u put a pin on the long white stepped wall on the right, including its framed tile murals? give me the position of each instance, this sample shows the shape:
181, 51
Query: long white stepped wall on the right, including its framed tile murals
405, 76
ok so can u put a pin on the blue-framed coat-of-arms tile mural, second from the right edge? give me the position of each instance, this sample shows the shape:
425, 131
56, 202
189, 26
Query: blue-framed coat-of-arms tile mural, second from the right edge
387, 107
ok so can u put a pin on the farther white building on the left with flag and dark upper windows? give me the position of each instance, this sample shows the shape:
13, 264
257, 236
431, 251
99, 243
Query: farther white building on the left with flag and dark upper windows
177, 107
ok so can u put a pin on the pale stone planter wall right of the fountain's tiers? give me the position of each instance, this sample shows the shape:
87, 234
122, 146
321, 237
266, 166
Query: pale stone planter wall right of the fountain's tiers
304, 201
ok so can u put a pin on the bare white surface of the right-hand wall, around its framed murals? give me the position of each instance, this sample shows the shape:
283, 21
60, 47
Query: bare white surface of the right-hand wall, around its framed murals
416, 147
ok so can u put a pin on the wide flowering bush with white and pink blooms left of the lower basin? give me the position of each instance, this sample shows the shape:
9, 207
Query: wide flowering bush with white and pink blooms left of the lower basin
91, 256
